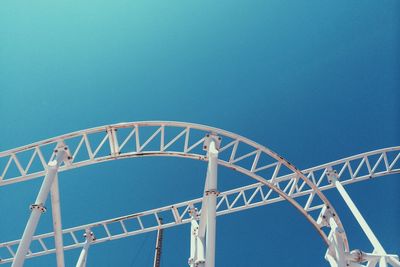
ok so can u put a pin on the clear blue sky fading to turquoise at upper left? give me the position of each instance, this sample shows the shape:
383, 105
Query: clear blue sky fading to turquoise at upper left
313, 80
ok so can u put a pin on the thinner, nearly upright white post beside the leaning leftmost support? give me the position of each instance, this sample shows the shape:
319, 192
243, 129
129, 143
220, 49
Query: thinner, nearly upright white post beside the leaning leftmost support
57, 225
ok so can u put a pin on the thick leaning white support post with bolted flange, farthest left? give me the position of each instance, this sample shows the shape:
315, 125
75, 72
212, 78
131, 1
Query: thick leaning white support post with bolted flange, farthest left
38, 208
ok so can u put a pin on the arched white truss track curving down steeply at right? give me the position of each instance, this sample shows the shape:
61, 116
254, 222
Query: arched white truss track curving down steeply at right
163, 138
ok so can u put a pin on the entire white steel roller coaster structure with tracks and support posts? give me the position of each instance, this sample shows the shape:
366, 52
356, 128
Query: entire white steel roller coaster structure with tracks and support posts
275, 180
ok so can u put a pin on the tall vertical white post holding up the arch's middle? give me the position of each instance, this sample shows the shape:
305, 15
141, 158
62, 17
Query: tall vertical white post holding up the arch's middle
211, 194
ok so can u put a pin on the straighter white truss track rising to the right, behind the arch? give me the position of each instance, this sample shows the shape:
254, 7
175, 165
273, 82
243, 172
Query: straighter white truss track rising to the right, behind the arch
351, 170
